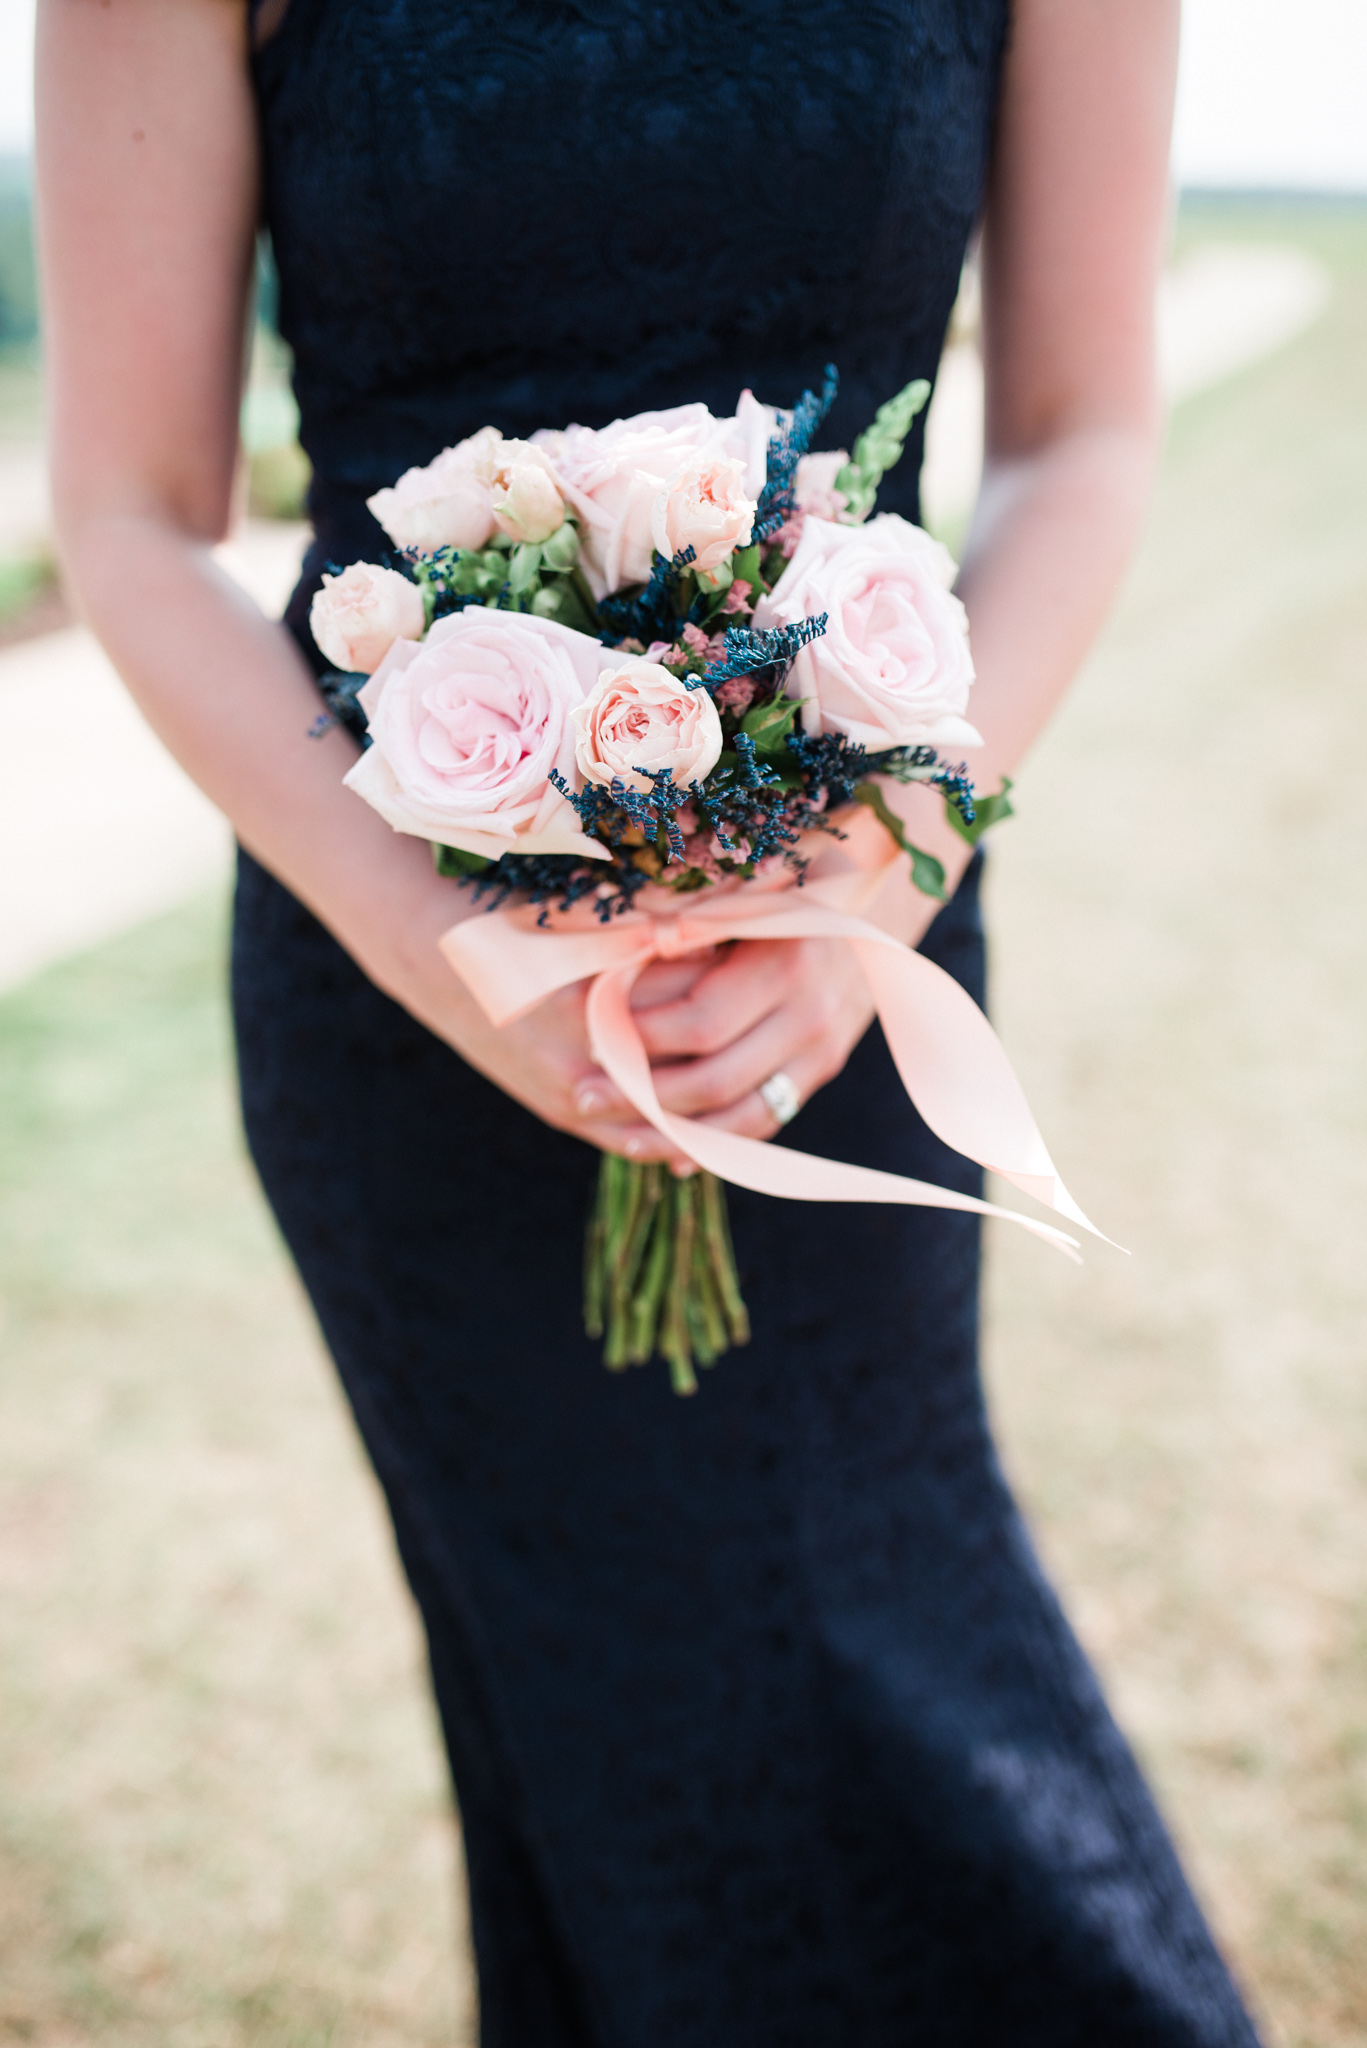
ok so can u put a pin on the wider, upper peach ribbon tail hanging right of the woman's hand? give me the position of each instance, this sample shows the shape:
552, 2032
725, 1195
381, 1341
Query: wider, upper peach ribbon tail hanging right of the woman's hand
956, 1072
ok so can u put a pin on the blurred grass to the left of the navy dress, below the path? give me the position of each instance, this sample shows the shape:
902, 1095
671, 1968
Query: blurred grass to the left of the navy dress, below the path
222, 1811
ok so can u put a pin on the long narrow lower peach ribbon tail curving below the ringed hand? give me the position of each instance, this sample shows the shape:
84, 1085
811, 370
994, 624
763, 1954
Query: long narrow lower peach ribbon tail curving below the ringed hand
747, 1162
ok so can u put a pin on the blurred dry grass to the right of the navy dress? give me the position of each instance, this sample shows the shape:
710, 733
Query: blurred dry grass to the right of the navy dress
1179, 974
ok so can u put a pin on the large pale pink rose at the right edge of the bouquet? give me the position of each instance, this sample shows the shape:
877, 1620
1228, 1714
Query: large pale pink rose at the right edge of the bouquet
895, 667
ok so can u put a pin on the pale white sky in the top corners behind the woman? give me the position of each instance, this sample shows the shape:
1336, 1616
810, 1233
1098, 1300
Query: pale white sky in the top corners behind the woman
1272, 93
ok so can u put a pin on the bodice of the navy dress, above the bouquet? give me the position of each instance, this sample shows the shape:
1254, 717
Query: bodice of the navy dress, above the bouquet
534, 212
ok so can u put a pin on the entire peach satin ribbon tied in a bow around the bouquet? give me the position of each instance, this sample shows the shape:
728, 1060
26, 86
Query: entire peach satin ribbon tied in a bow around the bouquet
950, 1058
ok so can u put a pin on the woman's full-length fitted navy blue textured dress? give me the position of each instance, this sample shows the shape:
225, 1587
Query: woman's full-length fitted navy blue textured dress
765, 1727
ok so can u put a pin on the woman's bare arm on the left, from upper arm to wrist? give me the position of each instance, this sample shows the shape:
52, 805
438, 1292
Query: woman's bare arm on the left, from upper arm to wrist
149, 196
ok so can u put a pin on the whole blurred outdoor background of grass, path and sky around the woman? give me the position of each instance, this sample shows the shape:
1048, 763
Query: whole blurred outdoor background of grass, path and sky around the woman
222, 1805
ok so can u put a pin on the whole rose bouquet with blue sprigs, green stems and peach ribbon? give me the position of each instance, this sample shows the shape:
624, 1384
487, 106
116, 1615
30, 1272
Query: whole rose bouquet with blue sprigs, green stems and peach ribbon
643, 689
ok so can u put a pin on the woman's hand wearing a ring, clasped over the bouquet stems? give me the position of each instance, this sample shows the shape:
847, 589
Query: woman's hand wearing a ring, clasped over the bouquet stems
751, 1011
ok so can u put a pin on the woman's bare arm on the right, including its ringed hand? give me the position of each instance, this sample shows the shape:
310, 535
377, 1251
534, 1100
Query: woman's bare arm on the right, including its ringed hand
1073, 239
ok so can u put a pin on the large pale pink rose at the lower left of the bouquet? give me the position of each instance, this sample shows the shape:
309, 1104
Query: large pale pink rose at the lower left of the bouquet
468, 728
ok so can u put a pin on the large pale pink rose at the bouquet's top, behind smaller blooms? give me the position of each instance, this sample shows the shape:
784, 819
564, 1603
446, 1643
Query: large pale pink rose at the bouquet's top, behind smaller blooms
616, 474
